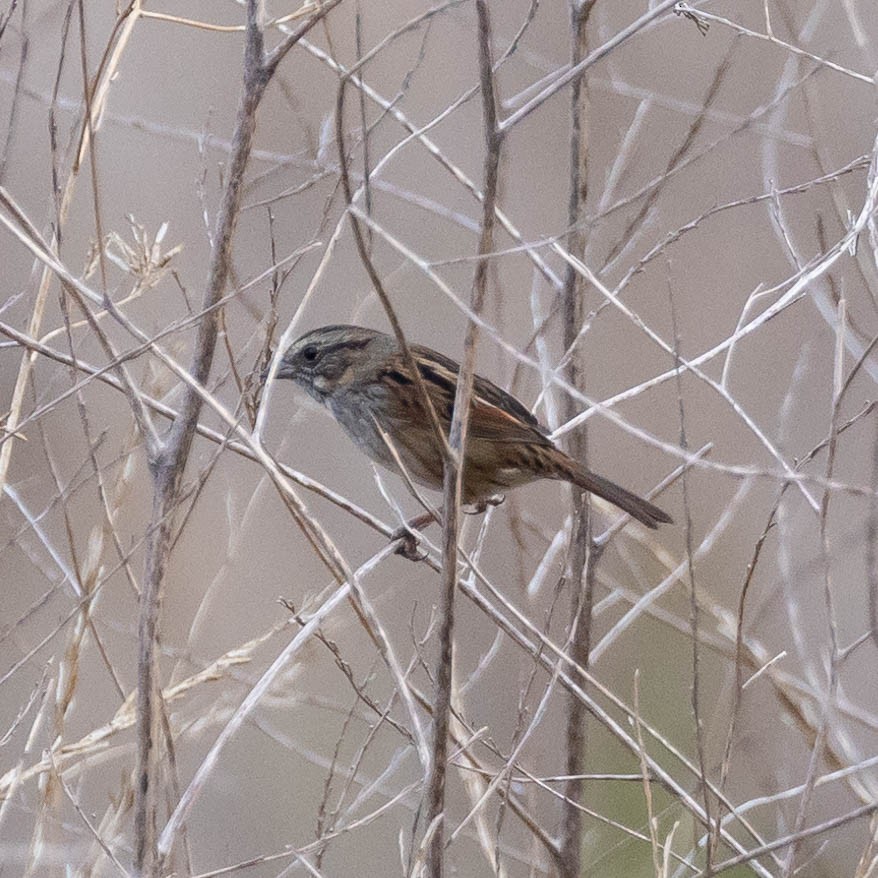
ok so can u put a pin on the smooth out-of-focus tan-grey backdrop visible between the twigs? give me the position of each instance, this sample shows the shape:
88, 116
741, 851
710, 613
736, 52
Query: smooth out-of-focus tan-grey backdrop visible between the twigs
776, 120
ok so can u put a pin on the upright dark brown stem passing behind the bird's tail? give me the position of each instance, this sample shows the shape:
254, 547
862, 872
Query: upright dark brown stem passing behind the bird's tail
583, 555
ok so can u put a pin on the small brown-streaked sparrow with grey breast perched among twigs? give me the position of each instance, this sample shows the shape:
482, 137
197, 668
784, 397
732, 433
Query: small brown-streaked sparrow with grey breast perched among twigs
363, 378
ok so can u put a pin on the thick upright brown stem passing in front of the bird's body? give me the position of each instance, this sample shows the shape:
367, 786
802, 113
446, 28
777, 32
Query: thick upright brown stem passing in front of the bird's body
454, 468
